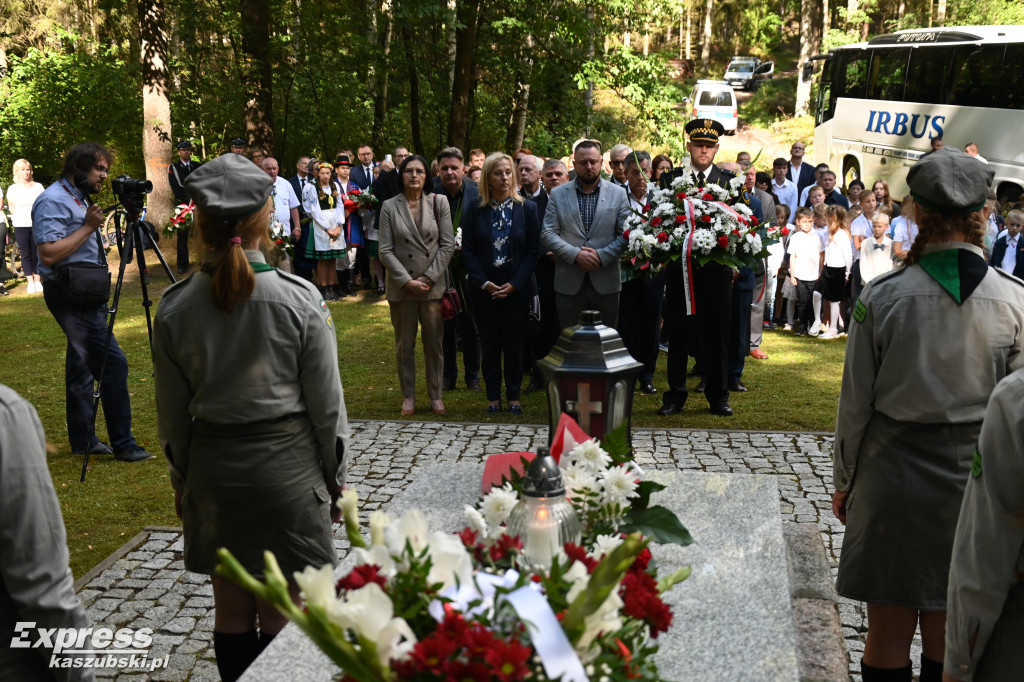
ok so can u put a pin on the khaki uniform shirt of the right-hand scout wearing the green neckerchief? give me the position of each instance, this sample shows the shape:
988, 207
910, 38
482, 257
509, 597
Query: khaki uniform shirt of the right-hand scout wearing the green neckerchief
917, 356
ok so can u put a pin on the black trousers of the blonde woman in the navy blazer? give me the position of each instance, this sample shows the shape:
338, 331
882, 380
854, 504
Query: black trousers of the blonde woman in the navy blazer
501, 325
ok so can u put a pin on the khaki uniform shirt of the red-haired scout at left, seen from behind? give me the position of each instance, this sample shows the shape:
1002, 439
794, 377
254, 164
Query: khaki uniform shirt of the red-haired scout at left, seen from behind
276, 355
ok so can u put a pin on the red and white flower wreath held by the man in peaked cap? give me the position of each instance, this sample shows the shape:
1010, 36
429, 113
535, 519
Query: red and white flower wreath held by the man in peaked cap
710, 224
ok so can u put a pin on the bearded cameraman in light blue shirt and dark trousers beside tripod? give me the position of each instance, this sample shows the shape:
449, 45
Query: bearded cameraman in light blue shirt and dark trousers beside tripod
65, 225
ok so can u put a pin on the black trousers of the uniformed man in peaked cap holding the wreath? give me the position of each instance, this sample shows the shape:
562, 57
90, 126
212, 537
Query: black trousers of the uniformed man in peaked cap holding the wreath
713, 288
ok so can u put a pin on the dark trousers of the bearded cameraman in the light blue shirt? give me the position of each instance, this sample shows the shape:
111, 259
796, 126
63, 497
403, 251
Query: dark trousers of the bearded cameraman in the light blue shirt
87, 332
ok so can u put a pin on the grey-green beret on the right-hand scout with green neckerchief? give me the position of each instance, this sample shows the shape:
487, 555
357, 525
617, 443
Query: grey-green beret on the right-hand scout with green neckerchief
951, 182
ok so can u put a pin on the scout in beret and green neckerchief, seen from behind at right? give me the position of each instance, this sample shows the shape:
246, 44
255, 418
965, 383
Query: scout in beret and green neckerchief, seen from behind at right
927, 346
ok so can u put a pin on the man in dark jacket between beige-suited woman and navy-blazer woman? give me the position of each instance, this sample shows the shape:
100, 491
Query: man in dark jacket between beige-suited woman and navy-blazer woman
451, 182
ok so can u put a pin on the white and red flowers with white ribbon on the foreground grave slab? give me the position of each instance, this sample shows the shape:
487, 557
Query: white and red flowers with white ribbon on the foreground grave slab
425, 606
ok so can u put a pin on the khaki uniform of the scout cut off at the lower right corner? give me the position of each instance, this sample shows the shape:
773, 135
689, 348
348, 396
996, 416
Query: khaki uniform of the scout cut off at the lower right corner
987, 598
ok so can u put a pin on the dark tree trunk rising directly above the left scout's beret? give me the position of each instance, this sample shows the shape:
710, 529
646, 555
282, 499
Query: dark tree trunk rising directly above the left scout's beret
258, 78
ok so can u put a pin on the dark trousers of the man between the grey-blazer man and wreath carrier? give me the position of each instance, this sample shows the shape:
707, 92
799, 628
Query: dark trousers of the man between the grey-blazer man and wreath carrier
641, 319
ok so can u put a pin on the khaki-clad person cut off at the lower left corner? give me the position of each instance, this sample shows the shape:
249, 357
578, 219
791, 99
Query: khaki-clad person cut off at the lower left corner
36, 584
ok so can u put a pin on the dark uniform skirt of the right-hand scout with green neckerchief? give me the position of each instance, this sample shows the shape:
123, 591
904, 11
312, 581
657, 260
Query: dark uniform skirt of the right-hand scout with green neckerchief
903, 511
